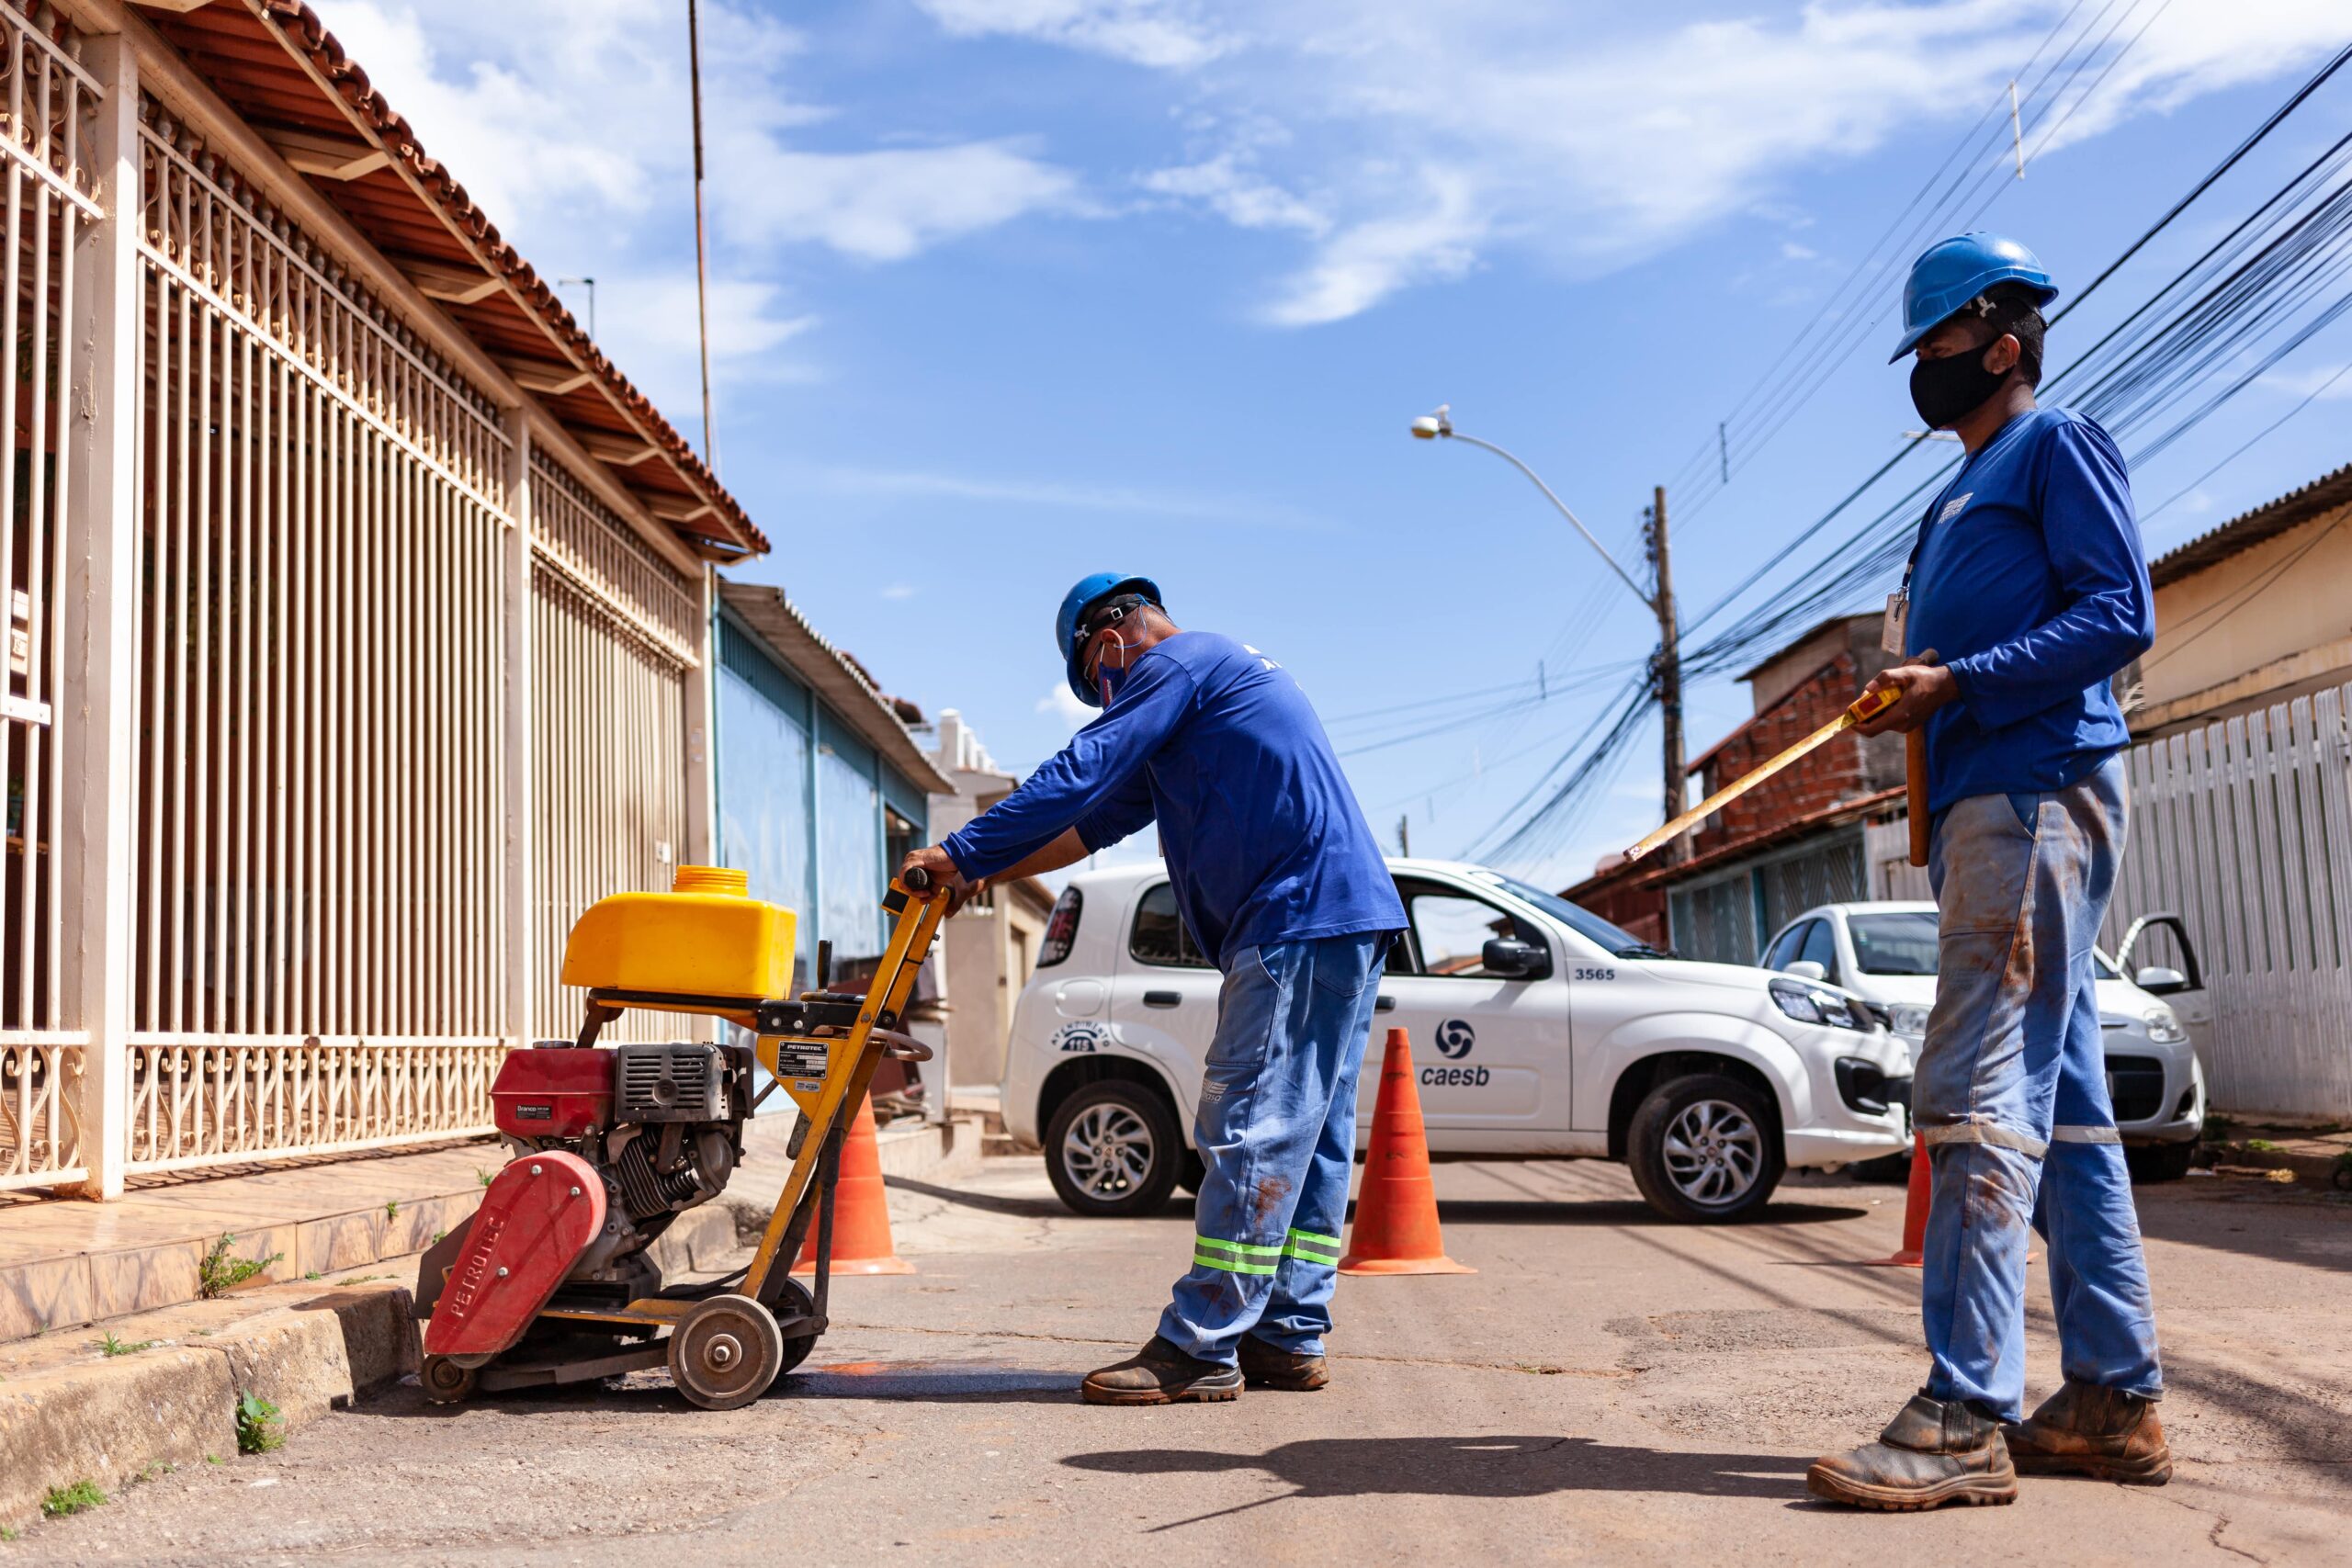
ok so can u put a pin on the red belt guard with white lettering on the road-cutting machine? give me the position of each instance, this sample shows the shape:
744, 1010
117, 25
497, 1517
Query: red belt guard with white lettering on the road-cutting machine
533, 1224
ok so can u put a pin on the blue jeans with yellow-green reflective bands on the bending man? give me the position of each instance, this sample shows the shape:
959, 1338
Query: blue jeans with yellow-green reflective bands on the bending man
1276, 1137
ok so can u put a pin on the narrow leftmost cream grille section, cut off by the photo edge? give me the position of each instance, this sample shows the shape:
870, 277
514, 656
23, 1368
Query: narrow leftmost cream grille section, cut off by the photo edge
51, 199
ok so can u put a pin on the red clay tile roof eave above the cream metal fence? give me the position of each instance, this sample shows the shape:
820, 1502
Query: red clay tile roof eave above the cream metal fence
281, 69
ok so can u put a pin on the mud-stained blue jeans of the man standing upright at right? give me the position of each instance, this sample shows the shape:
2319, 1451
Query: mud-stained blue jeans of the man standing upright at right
2012, 1099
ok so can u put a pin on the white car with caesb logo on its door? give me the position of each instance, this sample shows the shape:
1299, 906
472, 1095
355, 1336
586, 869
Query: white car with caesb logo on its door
1537, 1028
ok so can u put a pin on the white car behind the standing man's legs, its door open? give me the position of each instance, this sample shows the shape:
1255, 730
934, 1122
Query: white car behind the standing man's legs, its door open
1885, 953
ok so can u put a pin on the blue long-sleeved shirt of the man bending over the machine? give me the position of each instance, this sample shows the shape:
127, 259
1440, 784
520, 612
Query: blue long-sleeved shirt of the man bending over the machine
1220, 746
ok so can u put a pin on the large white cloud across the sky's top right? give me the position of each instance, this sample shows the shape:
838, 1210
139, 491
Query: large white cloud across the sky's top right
1436, 135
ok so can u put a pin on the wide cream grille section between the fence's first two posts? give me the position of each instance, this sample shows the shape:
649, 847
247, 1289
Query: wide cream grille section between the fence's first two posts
319, 697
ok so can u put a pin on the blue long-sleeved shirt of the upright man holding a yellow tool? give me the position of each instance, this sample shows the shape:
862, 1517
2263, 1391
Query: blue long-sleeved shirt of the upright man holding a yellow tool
2033, 589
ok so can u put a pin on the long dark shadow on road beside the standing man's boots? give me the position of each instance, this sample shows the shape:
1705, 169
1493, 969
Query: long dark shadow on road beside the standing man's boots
1464, 1468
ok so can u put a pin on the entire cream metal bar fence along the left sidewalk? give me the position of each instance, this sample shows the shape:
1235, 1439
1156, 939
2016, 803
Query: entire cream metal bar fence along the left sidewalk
281, 659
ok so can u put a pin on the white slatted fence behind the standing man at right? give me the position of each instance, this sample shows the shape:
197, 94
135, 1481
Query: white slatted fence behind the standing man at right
2245, 831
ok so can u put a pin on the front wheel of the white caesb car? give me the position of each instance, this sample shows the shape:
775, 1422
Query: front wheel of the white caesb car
1706, 1151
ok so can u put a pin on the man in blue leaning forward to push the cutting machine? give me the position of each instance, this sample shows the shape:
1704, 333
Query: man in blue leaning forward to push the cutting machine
1283, 885
